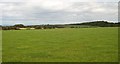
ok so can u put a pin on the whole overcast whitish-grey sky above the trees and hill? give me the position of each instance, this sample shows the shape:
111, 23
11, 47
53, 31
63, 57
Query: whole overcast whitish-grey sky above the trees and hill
29, 12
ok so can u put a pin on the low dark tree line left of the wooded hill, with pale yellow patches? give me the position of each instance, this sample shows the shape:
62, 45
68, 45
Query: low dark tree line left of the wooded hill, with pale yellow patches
18, 26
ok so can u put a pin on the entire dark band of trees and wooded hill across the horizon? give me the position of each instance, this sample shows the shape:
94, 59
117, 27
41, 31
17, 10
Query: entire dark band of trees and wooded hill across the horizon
92, 24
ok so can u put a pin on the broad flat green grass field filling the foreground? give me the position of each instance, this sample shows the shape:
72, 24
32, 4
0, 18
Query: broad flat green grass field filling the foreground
61, 45
